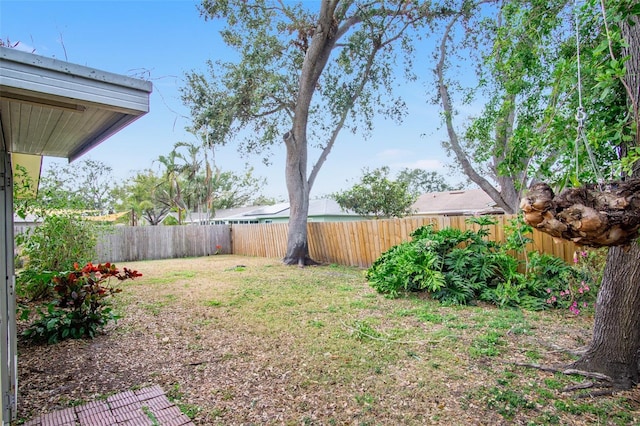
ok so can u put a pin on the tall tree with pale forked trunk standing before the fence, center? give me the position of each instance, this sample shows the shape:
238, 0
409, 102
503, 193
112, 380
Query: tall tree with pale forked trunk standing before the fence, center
301, 77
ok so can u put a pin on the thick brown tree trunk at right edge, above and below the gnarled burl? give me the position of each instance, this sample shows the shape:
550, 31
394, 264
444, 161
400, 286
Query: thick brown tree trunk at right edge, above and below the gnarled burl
615, 349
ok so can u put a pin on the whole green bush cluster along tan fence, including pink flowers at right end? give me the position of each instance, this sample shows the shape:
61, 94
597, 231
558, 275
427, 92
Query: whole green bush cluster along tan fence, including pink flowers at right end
460, 267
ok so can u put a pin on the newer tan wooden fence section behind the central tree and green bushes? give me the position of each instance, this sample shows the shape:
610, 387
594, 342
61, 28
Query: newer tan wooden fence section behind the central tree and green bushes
359, 243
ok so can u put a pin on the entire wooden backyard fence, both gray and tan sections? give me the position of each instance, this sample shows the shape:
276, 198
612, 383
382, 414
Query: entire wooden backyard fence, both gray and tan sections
346, 243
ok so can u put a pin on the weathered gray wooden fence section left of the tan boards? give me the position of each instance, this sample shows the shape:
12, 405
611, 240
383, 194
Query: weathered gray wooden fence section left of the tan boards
130, 243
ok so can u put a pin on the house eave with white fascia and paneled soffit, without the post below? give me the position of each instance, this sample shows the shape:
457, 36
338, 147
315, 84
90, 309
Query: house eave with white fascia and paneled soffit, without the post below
54, 108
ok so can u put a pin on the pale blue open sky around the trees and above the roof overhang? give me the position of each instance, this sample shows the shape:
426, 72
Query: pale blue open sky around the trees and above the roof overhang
160, 40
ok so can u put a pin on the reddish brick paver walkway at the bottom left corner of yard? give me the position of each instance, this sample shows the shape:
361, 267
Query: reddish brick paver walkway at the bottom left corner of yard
148, 406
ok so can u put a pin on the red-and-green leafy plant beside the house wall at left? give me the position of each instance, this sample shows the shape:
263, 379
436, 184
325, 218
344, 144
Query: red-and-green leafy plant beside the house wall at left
79, 309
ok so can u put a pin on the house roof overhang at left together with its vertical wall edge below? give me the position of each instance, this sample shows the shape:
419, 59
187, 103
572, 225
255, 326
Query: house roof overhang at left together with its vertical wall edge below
49, 108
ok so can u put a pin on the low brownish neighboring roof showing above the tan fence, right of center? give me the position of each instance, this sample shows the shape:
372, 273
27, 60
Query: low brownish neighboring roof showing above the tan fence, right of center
454, 203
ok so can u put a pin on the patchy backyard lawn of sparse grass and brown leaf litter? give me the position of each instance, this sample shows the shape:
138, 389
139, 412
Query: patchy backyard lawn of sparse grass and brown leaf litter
235, 340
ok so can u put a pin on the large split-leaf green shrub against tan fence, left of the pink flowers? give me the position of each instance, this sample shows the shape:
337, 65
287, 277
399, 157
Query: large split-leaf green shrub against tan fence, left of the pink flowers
455, 266
